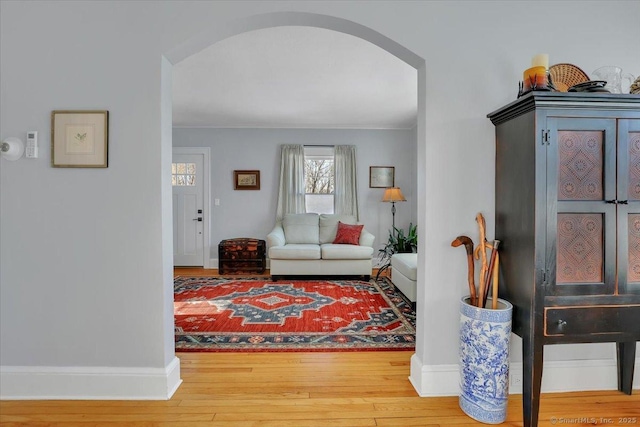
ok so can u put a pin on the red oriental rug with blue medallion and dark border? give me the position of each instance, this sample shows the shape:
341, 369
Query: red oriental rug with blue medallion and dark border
227, 314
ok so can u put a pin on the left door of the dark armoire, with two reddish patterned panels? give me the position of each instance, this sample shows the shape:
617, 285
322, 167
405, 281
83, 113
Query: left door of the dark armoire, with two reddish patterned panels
582, 224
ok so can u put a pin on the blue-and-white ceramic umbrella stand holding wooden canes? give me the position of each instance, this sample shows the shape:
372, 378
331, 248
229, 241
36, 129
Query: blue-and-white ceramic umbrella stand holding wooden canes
485, 331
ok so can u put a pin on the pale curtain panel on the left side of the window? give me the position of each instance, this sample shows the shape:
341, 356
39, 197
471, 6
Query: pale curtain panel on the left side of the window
291, 192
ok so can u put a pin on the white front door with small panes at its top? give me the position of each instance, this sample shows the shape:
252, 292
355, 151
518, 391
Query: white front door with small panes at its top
187, 179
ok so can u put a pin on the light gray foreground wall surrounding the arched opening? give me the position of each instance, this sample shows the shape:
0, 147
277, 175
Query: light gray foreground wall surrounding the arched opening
85, 255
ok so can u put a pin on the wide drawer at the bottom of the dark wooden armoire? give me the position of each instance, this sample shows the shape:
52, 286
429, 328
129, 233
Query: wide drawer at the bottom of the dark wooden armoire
591, 320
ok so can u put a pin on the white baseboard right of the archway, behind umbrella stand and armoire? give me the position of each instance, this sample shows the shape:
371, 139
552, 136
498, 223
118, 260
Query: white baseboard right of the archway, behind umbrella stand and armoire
557, 376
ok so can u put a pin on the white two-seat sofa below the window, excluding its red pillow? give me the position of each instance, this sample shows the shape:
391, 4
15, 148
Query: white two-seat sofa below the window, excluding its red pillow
302, 245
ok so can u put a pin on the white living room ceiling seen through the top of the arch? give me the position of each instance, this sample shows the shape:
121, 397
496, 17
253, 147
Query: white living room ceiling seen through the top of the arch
294, 77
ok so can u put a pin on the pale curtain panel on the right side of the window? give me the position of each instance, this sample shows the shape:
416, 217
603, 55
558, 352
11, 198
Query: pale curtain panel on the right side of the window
346, 188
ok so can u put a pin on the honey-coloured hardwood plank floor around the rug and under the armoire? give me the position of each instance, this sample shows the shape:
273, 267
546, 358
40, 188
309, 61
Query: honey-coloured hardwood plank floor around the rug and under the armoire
347, 389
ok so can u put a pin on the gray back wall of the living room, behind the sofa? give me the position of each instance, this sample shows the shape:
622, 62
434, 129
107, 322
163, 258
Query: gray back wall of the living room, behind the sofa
252, 213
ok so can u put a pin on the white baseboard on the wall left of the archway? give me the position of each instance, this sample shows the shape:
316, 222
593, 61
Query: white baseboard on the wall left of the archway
90, 383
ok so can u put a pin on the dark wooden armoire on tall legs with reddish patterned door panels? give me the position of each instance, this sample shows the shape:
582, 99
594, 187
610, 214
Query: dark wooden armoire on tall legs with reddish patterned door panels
568, 218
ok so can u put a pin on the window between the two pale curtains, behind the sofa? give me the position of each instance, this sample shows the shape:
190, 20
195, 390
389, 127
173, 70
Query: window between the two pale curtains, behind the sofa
319, 178
